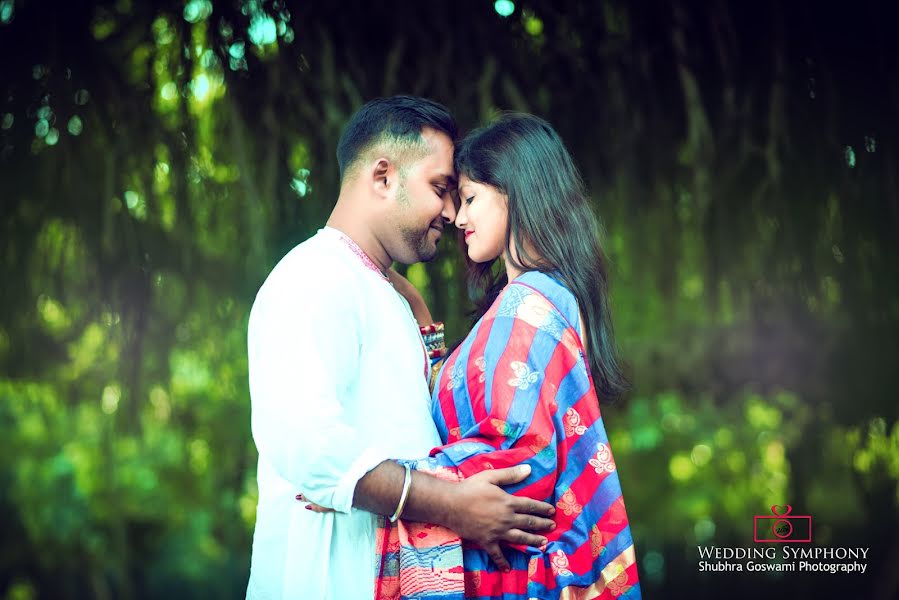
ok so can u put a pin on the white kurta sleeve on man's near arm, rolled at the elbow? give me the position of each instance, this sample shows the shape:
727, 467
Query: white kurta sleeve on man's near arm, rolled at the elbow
303, 353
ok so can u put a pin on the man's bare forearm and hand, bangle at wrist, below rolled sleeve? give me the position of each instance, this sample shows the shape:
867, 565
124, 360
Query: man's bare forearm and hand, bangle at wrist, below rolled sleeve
476, 508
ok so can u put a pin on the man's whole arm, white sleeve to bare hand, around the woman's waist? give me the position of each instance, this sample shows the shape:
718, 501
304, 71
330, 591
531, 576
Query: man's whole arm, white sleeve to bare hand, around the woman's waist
311, 444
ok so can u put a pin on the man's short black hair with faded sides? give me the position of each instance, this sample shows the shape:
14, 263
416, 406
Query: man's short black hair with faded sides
395, 123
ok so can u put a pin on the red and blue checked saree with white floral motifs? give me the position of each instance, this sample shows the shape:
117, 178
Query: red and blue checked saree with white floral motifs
518, 390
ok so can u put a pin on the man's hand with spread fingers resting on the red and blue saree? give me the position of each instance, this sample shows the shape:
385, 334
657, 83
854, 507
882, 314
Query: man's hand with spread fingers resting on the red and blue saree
482, 512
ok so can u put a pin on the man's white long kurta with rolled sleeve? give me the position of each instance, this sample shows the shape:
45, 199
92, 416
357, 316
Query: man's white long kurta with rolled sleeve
337, 385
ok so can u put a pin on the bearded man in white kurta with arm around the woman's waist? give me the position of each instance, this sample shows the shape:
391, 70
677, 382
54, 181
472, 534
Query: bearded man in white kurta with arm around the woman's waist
338, 374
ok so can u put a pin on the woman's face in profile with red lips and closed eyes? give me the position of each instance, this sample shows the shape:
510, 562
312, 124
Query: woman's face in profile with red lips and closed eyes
483, 215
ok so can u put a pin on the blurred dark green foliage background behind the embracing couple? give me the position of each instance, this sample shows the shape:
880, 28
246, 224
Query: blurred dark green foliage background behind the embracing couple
157, 159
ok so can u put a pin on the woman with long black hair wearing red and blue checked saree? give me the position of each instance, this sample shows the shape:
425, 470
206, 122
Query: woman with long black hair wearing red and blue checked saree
524, 385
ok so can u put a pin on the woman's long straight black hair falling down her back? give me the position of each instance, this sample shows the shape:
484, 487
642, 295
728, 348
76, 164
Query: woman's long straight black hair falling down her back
524, 158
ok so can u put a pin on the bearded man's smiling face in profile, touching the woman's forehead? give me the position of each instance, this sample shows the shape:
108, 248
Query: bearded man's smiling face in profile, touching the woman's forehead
424, 202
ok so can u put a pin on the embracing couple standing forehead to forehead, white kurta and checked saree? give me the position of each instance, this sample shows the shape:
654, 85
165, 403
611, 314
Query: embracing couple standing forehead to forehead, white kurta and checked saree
339, 380
